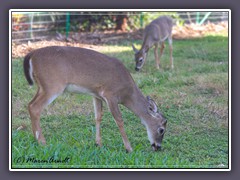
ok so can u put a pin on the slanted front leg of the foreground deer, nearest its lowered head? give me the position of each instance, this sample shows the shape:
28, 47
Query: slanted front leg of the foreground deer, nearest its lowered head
119, 121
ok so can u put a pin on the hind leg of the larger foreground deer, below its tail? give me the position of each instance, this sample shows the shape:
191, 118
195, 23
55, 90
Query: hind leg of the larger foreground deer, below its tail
35, 108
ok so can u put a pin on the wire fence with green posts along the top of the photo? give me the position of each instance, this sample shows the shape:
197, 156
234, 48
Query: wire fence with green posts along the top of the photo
42, 25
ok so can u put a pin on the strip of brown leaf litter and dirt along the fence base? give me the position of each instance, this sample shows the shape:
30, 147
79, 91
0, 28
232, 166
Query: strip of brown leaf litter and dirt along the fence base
96, 39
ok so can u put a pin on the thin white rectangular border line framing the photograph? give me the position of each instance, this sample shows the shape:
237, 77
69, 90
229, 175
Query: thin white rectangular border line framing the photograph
115, 10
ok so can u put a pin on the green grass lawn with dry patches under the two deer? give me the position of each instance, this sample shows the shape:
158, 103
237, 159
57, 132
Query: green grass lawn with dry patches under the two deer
193, 97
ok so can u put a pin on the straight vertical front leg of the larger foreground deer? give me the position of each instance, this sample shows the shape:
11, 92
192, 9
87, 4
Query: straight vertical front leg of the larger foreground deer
98, 117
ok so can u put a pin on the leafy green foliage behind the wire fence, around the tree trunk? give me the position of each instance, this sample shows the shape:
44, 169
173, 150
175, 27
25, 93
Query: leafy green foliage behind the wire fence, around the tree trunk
91, 21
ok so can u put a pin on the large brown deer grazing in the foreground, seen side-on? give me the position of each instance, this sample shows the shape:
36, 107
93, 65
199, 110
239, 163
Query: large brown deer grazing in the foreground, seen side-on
59, 69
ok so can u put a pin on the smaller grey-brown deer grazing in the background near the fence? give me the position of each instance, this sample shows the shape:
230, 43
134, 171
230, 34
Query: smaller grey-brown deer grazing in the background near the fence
156, 32
